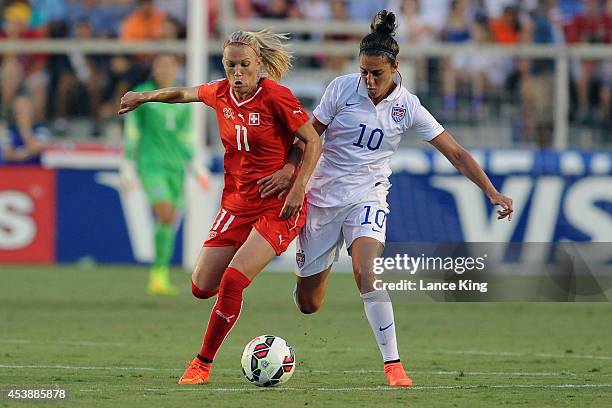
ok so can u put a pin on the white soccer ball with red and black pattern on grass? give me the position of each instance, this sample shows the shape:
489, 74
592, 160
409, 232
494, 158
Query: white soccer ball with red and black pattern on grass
267, 361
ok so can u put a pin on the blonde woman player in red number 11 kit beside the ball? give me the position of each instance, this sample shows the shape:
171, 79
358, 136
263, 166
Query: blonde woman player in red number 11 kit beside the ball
257, 119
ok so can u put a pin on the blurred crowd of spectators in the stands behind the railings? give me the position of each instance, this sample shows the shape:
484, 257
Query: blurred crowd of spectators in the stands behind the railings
53, 88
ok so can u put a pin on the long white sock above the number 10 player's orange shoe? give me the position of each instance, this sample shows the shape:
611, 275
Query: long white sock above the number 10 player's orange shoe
379, 312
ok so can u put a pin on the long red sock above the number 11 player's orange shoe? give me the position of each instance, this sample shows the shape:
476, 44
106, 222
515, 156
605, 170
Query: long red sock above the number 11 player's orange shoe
225, 311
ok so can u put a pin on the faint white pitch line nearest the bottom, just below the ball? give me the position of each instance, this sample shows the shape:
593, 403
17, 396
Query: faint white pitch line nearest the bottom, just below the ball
400, 389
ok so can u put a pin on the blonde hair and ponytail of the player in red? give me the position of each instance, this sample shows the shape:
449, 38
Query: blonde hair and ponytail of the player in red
270, 46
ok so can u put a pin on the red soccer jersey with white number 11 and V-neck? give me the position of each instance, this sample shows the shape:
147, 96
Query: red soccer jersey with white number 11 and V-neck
257, 134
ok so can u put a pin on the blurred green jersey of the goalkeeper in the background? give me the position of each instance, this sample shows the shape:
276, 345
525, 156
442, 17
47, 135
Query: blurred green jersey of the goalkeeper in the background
159, 136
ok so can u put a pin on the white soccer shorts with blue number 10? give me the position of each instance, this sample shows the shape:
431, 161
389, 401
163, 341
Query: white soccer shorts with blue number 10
328, 228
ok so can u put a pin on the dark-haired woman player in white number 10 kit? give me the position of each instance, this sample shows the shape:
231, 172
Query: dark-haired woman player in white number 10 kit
364, 116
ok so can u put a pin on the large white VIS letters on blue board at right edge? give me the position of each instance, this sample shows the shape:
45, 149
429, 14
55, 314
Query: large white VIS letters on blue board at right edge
540, 202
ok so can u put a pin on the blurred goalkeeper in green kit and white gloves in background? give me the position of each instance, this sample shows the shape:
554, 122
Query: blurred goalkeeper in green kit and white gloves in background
159, 146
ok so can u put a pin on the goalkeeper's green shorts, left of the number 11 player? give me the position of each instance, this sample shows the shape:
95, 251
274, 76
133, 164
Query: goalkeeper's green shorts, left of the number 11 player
163, 186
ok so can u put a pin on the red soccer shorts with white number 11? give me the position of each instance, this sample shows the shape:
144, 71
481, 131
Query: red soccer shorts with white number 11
233, 229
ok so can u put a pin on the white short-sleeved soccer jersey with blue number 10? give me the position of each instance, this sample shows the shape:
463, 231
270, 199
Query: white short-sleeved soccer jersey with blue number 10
361, 138
